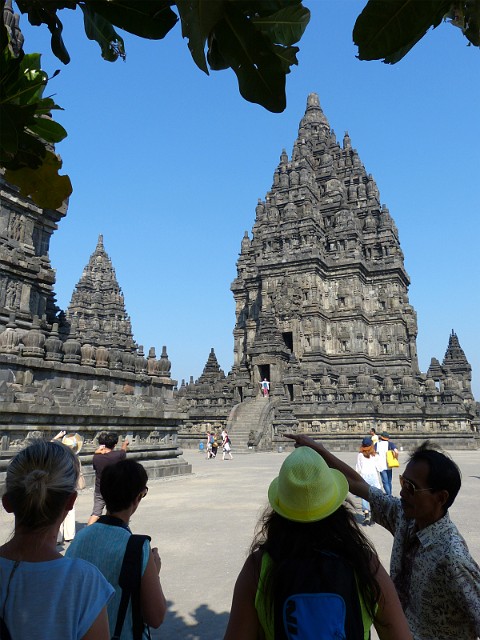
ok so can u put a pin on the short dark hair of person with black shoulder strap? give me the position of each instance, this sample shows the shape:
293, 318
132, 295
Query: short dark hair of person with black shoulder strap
121, 483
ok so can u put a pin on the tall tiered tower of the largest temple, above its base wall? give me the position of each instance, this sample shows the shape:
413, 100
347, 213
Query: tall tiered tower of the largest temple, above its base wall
325, 258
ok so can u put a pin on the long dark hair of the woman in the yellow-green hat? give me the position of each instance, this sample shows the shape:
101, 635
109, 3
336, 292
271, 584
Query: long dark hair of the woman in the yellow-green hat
288, 542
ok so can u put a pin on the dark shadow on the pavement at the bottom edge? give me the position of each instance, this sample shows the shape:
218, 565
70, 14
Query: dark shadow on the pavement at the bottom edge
204, 624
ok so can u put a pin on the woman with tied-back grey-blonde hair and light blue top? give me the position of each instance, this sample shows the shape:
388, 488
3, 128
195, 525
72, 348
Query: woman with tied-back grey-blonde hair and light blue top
44, 596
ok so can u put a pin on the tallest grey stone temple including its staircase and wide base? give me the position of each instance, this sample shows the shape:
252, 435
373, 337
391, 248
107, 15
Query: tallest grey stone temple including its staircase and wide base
322, 311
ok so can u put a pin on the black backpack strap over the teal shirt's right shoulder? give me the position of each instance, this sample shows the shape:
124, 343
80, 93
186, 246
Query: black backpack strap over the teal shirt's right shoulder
129, 580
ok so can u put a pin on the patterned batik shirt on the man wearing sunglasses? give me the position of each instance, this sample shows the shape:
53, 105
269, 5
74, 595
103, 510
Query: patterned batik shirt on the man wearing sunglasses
437, 580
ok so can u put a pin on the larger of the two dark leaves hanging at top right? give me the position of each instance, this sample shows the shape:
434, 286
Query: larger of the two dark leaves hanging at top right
388, 29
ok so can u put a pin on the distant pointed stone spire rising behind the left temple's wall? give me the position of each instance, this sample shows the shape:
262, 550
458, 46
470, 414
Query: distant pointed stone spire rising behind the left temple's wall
97, 309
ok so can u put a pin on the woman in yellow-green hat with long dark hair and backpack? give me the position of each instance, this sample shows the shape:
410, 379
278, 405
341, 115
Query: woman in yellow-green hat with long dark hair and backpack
309, 547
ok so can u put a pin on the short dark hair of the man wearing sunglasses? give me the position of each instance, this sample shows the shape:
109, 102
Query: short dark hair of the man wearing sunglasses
443, 473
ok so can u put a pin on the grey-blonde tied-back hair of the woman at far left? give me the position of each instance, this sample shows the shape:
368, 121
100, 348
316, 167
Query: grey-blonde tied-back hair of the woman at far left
39, 480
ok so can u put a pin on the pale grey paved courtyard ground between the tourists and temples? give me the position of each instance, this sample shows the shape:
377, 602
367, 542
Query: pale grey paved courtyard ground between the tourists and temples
203, 525
